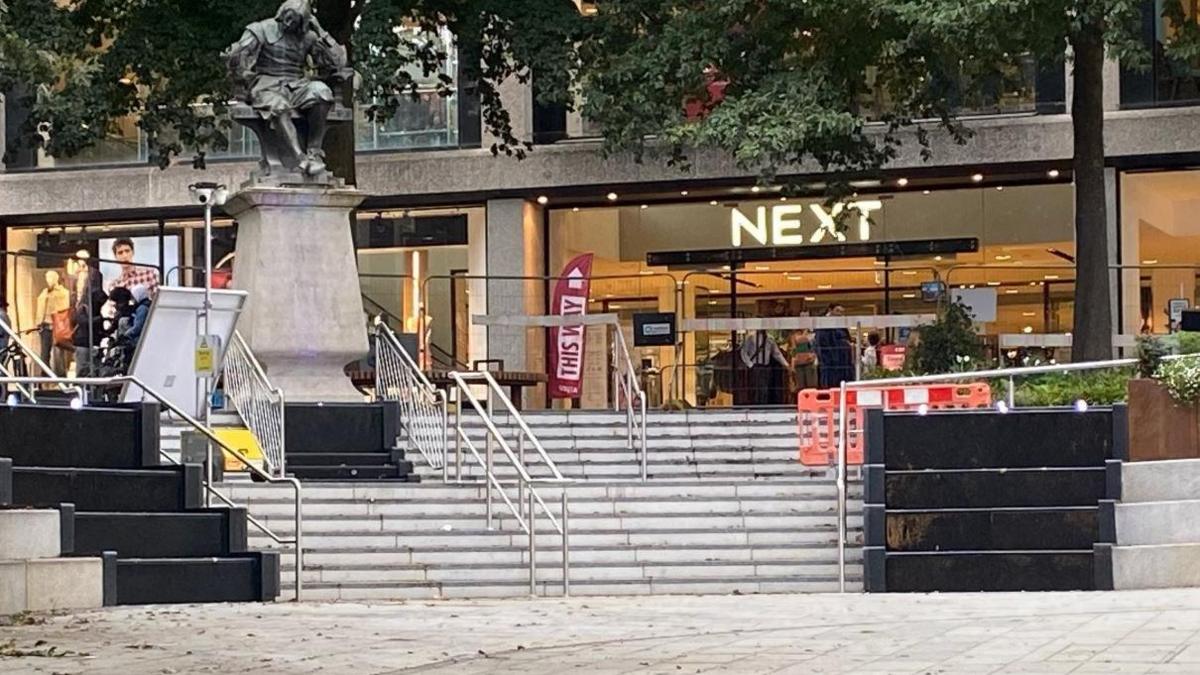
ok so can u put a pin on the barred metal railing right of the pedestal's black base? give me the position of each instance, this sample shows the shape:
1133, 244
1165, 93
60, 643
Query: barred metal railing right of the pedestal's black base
434, 449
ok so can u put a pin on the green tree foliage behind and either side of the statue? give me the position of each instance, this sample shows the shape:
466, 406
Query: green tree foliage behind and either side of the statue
83, 64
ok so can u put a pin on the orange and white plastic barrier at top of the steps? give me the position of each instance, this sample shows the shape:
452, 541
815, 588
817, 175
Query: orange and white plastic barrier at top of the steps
818, 413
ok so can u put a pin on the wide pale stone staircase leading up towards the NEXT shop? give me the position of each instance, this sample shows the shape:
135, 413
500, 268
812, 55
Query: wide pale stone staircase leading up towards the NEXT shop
727, 510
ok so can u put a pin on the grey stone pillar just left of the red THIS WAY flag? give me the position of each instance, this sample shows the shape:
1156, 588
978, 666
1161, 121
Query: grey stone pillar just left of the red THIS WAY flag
515, 248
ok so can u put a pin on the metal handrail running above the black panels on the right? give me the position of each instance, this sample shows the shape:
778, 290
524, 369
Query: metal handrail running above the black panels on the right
1011, 374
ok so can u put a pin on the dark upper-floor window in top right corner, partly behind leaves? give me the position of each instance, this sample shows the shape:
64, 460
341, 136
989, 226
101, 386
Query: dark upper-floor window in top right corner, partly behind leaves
1169, 81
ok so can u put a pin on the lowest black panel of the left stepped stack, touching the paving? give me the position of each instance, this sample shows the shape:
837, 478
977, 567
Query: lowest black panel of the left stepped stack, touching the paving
190, 581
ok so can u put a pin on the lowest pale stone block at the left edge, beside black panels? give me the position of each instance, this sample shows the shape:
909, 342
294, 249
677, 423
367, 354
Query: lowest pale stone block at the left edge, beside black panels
51, 584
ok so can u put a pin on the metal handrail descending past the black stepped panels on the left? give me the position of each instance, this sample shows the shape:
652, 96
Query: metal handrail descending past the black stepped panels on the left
81, 384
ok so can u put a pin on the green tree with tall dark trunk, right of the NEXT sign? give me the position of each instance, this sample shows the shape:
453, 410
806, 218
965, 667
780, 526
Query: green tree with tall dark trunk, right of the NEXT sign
783, 86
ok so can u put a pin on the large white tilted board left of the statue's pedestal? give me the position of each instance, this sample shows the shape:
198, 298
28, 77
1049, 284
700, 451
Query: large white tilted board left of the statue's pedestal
167, 356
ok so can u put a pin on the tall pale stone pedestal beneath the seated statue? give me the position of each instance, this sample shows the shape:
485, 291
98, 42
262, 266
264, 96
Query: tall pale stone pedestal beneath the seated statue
304, 314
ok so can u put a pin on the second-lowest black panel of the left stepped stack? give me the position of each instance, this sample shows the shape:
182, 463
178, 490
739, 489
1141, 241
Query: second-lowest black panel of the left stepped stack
153, 535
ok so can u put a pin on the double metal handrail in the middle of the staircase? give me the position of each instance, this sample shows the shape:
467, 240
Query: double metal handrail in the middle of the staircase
526, 485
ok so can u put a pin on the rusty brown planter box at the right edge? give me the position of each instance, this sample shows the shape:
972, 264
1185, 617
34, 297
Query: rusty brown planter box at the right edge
1159, 427
